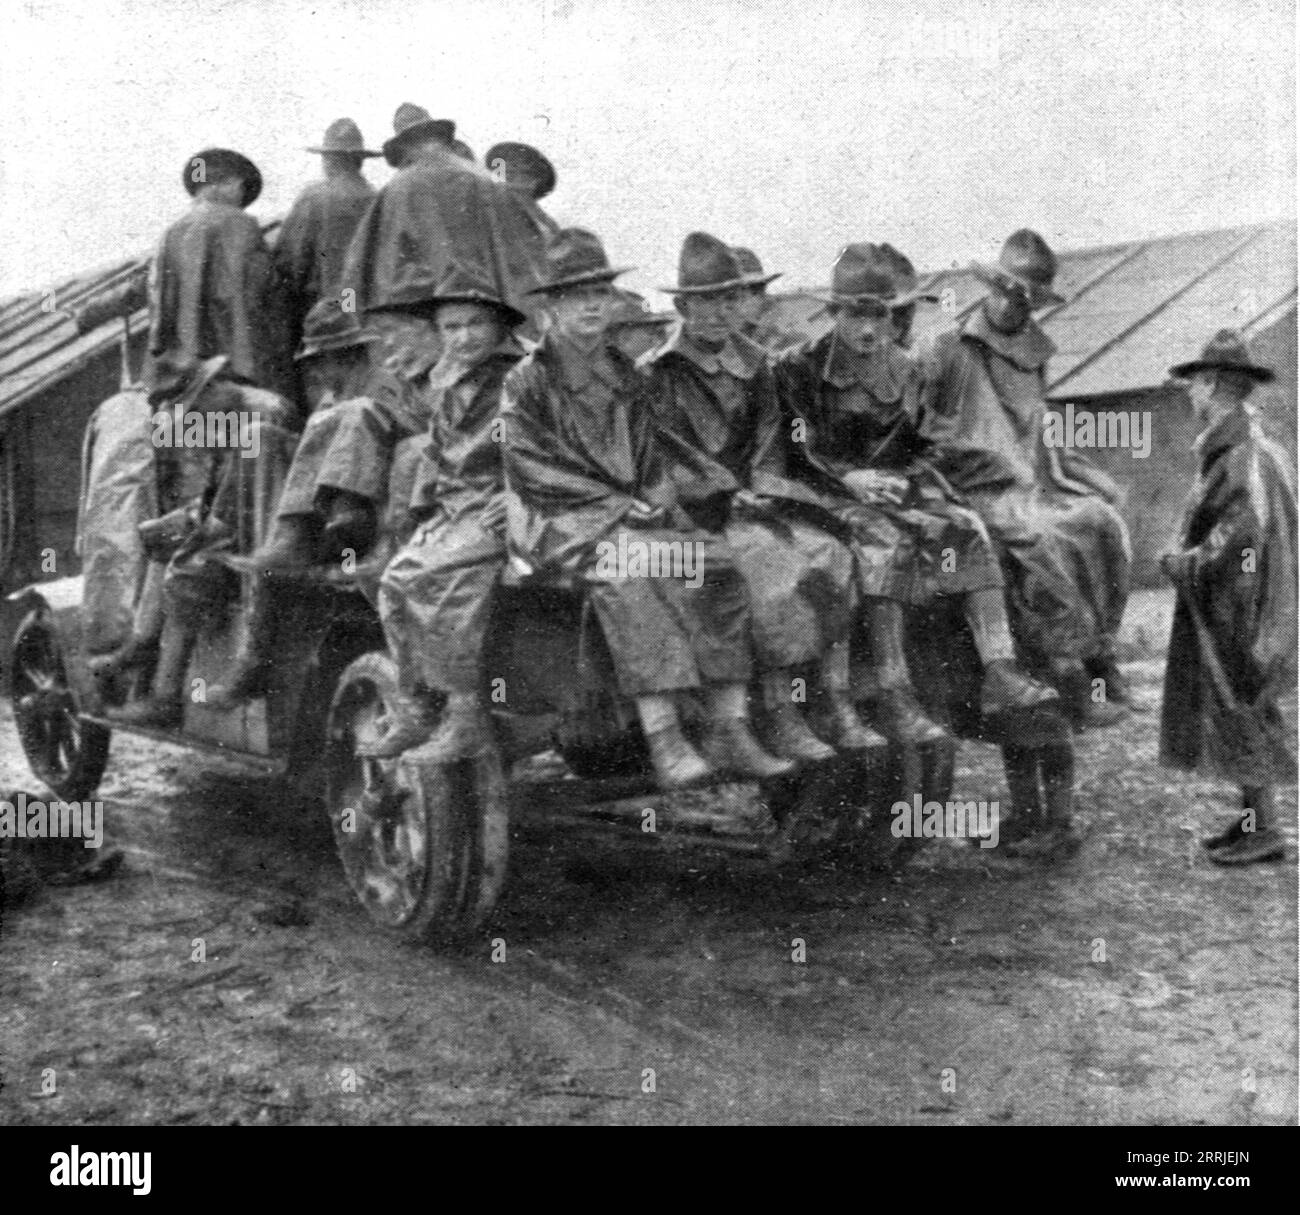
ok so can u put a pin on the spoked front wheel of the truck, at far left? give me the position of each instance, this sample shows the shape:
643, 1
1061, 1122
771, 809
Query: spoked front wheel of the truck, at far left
66, 752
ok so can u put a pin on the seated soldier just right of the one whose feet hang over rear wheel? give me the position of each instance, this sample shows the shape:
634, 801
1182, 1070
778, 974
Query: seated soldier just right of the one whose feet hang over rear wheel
586, 485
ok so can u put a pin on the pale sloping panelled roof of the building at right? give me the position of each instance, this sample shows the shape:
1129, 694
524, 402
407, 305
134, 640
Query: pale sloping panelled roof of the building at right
1134, 310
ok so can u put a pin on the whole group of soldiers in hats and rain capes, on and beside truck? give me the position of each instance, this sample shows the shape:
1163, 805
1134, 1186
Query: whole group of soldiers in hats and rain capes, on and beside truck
827, 488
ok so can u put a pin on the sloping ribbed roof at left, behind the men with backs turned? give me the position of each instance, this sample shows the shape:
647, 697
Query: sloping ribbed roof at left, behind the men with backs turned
40, 344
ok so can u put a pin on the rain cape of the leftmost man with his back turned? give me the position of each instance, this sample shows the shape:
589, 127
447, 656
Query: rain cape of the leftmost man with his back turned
215, 292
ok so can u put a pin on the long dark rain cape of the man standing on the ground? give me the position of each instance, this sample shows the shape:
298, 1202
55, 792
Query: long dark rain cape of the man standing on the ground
1241, 524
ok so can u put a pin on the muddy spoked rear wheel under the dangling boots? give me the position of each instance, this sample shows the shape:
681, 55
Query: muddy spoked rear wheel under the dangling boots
423, 848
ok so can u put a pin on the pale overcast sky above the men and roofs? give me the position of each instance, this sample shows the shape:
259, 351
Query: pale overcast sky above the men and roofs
791, 127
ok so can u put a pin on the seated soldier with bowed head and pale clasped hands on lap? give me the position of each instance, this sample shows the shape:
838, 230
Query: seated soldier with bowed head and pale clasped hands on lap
856, 400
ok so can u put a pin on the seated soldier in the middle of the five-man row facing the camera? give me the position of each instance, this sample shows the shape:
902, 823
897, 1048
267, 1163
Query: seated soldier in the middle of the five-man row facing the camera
716, 397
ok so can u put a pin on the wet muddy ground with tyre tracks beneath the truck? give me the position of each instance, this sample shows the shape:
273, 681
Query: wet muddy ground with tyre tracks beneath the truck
632, 984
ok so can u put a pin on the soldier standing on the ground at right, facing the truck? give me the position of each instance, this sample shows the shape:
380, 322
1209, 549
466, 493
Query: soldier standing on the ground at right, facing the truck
1233, 648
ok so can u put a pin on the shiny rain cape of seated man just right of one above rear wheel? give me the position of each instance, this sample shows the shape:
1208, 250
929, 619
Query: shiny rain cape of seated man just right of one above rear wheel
583, 457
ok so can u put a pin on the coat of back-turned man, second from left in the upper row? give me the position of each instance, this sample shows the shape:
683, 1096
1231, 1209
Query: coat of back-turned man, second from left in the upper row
314, 240
